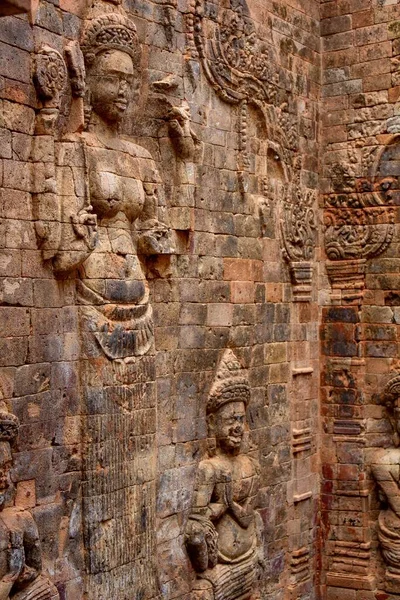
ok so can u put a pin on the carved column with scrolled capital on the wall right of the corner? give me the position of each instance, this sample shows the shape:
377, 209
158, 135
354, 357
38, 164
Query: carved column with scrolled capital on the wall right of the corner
359, 225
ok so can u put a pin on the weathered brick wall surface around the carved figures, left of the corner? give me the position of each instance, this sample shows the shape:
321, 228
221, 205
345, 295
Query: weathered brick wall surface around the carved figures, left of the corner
228, 285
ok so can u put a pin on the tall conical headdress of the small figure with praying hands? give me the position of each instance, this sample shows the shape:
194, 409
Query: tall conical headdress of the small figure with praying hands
230, 383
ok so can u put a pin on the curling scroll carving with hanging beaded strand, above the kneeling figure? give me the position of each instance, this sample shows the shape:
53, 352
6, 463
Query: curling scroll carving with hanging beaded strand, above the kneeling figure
243, 70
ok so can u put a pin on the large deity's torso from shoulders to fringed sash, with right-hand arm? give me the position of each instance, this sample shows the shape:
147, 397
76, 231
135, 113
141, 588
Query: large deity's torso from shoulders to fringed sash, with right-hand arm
121, 180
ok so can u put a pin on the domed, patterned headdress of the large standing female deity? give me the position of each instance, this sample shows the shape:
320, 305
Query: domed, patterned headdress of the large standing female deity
110, 31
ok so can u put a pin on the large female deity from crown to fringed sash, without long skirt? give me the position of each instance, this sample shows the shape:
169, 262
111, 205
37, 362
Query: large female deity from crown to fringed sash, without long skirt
105, 178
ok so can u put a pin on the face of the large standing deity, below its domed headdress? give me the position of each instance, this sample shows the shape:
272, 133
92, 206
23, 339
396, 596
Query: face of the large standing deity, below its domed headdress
111, 80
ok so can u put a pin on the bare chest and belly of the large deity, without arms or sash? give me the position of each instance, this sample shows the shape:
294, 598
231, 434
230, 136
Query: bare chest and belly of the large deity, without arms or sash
113, 270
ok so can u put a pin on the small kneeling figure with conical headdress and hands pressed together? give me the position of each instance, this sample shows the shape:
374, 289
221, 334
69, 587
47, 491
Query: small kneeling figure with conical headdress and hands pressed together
221, 535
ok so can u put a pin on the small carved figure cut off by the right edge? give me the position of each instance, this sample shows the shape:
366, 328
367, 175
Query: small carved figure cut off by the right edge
386, 470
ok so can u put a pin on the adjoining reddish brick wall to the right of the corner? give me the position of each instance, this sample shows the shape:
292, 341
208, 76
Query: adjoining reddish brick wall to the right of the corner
359, 327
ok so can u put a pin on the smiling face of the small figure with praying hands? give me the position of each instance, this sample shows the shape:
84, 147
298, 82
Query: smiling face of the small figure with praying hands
229, 426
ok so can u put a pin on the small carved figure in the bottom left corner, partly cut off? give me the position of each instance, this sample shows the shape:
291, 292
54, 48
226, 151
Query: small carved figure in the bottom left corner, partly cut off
20, 552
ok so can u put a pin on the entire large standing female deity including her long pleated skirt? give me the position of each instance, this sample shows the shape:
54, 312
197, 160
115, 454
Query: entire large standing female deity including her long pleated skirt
109, 196
